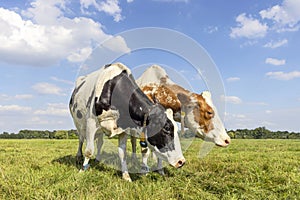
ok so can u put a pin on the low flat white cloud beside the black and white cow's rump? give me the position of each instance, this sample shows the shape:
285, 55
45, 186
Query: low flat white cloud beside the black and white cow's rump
54, 109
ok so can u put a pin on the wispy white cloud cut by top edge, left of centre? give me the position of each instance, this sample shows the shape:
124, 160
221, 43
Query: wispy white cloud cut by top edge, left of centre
110, 7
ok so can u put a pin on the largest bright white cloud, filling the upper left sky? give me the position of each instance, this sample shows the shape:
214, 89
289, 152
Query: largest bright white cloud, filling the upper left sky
41, 39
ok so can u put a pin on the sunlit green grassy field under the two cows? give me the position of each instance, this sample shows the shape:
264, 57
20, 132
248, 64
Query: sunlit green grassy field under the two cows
247, 169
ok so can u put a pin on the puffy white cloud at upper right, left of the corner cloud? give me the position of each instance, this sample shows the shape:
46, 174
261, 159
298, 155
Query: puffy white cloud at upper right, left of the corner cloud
248, 27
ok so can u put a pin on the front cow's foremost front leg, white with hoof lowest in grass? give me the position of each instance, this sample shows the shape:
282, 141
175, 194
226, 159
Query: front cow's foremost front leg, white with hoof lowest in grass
122, 155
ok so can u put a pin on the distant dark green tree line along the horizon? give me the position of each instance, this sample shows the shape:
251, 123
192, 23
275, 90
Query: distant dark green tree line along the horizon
257, 133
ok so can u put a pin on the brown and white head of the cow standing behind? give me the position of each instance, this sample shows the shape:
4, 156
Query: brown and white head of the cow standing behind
202, 117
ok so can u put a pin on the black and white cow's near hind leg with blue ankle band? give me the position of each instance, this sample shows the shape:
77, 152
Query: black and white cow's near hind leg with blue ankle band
90, 136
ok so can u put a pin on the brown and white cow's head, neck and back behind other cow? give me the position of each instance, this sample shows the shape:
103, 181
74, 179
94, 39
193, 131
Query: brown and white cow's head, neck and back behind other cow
200, 114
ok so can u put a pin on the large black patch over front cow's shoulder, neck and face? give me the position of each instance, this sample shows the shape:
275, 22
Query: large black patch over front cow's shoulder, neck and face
123, 94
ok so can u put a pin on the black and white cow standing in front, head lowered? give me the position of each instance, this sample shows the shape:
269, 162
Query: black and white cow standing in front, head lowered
108, 101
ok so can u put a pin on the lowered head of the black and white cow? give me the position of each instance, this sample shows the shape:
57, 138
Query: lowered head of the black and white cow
162, 136
